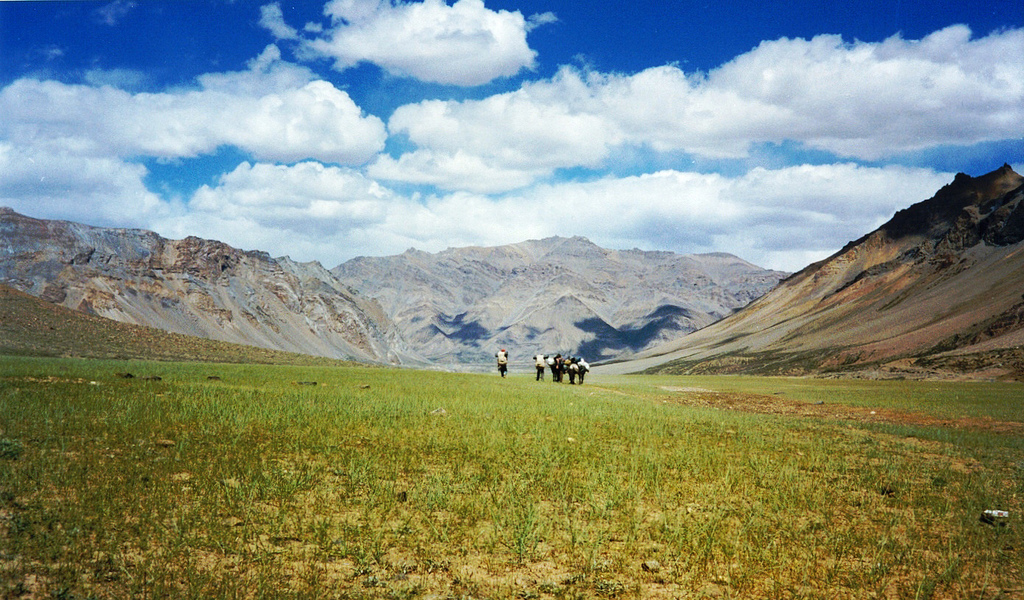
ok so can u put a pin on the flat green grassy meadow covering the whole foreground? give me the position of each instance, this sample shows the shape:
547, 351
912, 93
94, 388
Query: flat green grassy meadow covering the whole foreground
249, 482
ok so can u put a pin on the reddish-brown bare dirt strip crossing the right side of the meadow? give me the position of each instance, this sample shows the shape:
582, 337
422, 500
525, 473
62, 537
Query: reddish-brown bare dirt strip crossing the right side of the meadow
776, 405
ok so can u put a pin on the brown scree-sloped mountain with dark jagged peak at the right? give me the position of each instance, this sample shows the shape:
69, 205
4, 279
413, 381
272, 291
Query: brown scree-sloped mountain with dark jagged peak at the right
935, 291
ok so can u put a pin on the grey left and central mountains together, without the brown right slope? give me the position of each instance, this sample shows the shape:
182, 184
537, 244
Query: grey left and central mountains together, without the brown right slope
450, 310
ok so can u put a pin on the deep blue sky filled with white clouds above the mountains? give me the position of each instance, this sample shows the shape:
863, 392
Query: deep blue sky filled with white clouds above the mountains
326, 131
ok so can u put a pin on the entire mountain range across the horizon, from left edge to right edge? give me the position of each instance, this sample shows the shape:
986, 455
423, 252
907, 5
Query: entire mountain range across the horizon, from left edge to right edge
937, 291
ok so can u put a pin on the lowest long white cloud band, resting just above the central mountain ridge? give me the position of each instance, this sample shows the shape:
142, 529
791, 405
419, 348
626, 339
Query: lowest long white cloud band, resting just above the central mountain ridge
783, 219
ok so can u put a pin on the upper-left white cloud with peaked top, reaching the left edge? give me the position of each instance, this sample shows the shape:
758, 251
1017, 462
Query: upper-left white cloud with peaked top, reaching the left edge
275, 111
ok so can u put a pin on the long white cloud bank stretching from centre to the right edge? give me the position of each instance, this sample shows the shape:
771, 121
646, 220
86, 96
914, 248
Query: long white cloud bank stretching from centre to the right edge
861, 101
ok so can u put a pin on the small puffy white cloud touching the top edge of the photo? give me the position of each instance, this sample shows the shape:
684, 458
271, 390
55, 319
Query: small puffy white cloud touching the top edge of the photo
461, 45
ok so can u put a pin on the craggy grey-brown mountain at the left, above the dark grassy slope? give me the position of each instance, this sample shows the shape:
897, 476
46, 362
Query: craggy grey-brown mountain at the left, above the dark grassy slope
195, 287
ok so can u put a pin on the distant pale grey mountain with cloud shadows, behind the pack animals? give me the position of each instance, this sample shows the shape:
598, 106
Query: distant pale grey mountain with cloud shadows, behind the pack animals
554, 295
